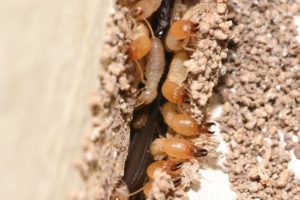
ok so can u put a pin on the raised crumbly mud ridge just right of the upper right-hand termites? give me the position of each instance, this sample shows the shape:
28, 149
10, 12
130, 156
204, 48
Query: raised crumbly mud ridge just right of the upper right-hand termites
205, 66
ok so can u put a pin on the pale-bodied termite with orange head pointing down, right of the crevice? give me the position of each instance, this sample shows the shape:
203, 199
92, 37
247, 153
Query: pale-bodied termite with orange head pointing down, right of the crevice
173, 87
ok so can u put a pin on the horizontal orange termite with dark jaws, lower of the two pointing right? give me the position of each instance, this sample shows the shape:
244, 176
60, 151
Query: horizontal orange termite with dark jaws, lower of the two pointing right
176, 148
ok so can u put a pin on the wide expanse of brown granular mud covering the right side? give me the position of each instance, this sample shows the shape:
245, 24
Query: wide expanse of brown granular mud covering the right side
262, 100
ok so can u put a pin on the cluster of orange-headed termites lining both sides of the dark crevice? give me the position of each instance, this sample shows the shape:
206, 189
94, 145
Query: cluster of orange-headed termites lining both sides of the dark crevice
148, 53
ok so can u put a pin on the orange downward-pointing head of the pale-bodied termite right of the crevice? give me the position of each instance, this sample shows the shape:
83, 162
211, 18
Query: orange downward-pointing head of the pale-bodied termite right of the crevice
173, 92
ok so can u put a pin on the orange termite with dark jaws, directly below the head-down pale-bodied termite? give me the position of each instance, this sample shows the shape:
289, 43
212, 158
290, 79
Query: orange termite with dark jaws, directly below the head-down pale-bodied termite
182, 123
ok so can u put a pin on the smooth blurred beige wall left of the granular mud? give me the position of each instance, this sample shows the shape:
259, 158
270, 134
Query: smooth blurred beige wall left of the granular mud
49, 58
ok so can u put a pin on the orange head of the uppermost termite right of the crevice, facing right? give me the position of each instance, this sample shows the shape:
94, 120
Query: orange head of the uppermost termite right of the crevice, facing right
182, 29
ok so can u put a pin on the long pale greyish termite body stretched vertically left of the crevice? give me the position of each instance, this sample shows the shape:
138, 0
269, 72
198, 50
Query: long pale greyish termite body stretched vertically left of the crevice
153, 71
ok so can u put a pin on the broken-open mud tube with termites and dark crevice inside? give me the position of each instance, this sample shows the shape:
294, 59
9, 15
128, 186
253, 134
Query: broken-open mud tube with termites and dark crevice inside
161, 61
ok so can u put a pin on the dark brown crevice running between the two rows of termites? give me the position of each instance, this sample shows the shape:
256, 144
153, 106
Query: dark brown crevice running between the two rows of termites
139, 156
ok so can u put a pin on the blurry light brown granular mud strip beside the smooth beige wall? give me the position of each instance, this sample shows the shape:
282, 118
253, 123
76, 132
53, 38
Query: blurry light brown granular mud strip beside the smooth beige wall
105, 151
